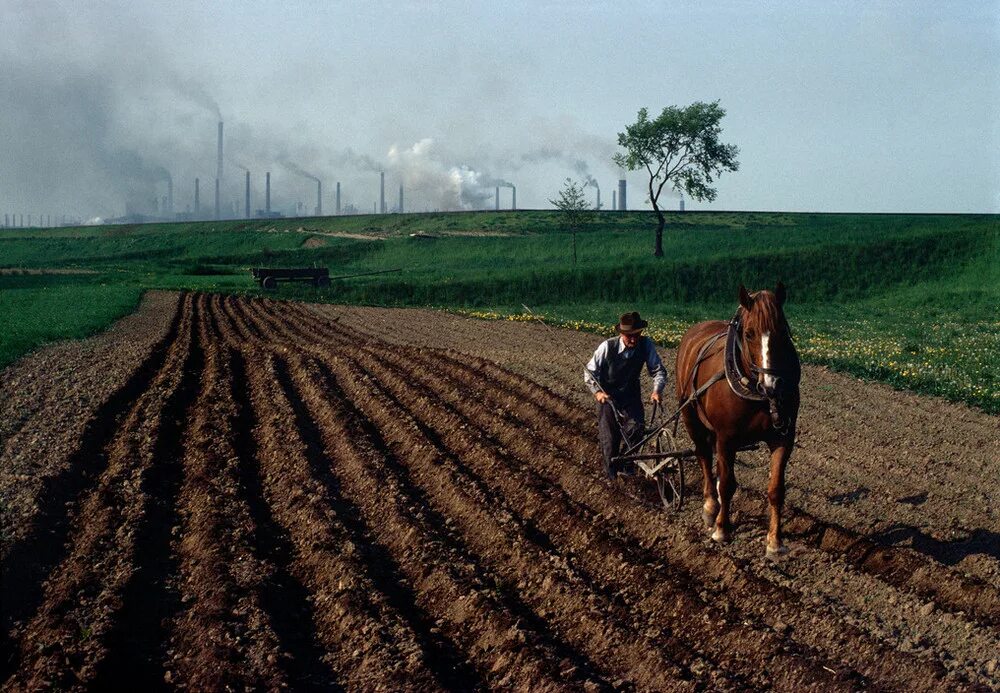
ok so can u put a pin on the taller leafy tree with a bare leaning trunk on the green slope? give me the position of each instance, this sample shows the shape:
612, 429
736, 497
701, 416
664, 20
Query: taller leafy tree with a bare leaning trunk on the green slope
680, 147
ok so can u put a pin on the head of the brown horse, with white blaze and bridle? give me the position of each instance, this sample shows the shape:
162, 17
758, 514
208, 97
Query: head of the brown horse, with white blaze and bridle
767, 339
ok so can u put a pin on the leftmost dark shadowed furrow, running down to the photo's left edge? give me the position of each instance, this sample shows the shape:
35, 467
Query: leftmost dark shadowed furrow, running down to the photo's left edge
28, 561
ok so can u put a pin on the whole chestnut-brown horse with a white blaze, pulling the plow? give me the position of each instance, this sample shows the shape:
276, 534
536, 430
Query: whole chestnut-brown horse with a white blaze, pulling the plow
734, 412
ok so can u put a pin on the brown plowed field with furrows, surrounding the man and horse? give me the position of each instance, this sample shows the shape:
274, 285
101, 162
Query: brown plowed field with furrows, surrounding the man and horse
223, 493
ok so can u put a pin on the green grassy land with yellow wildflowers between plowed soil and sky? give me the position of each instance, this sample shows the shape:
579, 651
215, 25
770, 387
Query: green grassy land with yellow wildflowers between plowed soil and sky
907, 299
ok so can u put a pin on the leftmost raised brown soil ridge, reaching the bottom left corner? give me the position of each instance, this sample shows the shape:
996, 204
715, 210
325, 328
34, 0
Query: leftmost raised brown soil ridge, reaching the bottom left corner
69, 635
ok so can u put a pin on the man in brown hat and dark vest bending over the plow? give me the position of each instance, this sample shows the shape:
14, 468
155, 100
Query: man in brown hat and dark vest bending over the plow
612, 374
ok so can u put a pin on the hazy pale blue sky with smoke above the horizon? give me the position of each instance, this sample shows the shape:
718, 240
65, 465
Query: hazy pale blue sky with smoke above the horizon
835, 106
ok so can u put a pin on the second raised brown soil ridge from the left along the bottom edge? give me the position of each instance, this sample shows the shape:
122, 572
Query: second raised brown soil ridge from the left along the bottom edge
222, 639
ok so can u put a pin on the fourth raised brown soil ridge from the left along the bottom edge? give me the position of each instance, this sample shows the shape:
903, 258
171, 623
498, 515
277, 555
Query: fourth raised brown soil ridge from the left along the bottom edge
490, 621
